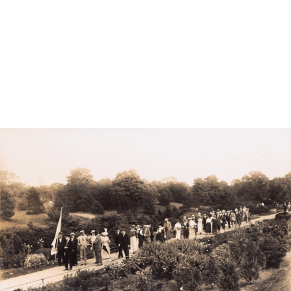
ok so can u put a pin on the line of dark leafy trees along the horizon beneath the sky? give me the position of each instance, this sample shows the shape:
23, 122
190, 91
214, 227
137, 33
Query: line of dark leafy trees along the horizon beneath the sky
128, 192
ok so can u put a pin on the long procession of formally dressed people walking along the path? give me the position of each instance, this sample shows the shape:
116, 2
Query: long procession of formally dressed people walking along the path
69, 246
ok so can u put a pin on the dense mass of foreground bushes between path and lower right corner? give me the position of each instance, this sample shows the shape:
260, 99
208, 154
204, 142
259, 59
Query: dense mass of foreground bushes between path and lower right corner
222, 260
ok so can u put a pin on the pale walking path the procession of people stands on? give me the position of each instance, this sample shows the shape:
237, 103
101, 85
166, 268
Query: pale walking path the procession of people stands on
57, 274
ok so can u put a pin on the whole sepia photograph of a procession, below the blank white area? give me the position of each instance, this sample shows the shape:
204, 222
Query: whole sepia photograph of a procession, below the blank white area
169, 209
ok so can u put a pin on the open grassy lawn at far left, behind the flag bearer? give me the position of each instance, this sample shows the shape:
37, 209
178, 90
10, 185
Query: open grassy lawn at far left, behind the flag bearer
21, 219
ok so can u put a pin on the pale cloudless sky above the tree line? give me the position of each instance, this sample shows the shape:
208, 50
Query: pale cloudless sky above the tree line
45, 156
